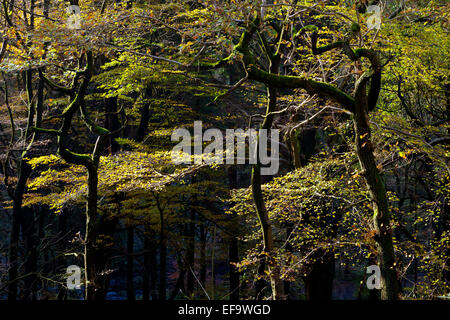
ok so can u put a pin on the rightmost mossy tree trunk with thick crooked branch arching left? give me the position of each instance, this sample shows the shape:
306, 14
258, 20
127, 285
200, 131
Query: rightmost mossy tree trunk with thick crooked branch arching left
359, 105
